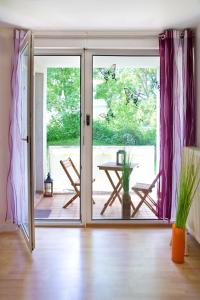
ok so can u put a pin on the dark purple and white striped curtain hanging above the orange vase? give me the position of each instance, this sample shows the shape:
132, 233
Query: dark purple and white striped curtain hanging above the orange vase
177, 112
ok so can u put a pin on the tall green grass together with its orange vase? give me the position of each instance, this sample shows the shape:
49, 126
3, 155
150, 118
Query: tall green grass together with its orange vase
188, 184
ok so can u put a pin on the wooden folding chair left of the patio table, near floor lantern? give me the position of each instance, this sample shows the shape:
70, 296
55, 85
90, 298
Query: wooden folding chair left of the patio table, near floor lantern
67, 165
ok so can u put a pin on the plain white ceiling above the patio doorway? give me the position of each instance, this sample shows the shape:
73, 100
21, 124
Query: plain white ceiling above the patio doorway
100, 14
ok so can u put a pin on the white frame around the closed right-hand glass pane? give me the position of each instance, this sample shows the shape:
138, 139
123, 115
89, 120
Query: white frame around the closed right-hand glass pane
88, 130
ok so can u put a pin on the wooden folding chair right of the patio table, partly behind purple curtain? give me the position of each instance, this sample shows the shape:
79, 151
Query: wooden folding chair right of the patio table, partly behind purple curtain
143, 191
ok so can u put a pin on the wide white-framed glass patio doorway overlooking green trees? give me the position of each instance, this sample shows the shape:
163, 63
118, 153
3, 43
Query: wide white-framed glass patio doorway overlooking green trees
97, 103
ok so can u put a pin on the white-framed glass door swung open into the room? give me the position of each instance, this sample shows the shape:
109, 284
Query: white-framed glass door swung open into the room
25, 69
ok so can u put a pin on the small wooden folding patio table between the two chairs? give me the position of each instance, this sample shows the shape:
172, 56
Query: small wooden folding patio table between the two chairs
111, 168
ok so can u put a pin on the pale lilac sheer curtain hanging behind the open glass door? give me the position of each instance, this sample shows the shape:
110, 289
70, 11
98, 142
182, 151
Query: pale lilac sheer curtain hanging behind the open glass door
15, 172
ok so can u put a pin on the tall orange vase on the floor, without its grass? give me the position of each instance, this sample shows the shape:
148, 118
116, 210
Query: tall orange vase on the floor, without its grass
178, 244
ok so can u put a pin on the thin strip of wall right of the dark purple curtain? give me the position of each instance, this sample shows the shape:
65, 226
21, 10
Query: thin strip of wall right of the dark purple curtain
198, 82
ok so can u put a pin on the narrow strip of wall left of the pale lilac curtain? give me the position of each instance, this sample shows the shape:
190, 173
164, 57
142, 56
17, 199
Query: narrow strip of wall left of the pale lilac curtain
5, 95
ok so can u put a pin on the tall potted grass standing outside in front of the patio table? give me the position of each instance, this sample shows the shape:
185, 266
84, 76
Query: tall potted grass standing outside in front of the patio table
126, 198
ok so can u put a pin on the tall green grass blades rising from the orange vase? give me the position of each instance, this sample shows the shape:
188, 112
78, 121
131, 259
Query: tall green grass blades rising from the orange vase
188, 184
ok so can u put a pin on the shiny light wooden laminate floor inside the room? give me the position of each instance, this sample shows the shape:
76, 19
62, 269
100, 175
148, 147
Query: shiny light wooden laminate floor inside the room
97, 264
